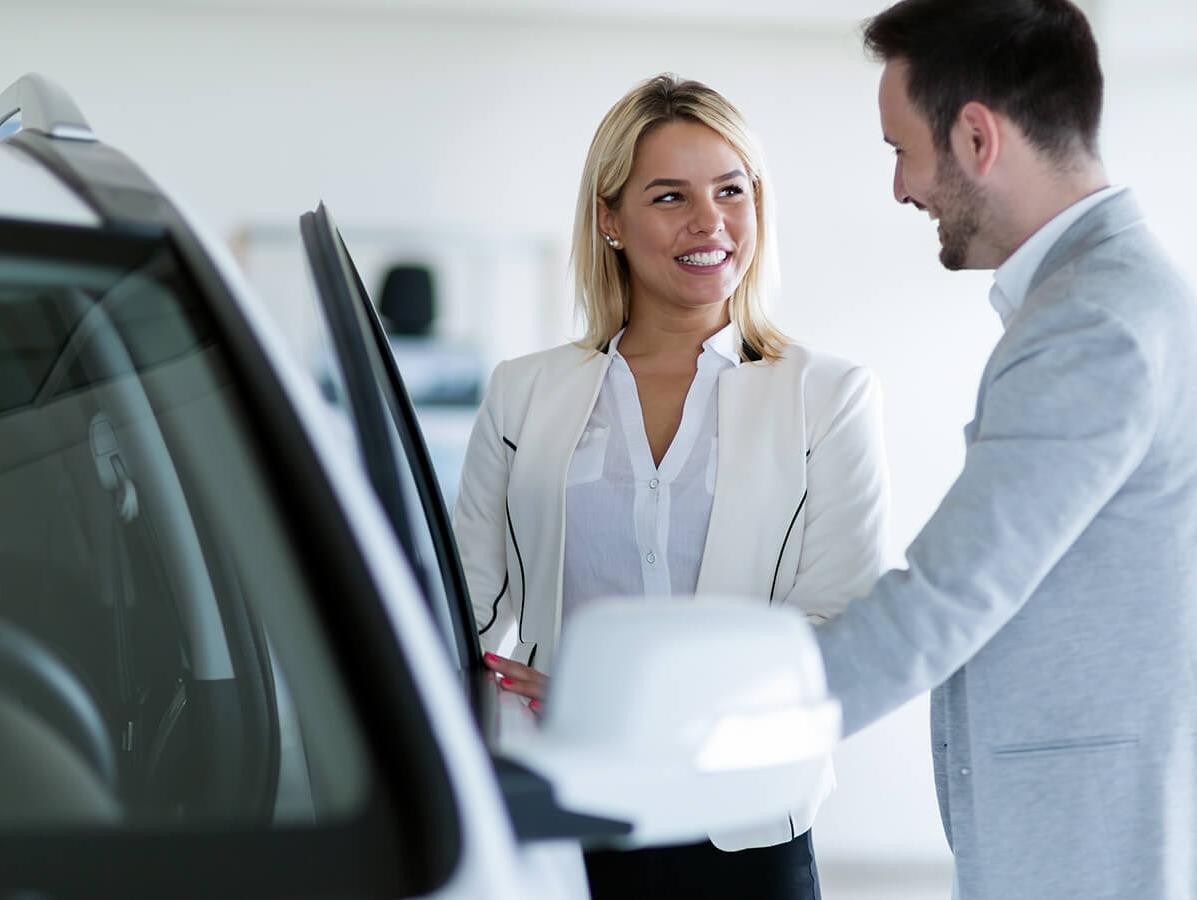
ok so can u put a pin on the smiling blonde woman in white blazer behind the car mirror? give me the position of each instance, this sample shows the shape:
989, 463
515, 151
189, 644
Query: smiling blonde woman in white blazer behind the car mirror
683, 446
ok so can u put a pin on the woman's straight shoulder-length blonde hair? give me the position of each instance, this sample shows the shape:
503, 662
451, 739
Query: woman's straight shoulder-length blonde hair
601, 277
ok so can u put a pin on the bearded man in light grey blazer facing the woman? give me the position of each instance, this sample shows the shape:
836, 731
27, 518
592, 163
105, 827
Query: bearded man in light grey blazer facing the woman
1054, 594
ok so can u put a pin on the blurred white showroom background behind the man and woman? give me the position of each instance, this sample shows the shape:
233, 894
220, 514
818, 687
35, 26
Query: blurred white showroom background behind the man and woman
448, 137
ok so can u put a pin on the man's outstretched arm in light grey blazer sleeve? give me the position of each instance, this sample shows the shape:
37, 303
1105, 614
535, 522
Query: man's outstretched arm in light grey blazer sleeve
1068, 413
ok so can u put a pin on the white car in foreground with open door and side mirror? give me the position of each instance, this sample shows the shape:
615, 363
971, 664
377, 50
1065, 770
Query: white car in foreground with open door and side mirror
236, 652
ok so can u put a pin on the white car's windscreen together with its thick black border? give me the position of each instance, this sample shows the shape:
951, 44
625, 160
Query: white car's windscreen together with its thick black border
178, 655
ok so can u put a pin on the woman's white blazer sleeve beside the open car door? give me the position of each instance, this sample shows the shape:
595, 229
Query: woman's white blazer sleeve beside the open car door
481, 519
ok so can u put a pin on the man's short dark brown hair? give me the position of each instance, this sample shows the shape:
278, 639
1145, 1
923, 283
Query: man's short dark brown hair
1035, 62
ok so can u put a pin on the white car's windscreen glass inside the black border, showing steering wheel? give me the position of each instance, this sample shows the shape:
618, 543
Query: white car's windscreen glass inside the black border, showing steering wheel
157, 636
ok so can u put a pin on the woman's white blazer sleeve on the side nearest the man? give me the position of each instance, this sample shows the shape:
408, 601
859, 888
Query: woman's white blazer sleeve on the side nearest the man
848, 501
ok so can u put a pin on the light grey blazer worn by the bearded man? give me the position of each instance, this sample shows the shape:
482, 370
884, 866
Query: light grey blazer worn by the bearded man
1053, 597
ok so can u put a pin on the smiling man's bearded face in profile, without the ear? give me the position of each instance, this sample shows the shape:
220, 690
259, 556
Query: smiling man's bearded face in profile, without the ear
927, 179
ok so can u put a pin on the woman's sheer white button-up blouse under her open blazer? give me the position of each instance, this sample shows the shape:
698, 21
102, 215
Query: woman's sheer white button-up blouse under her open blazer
633, 528
